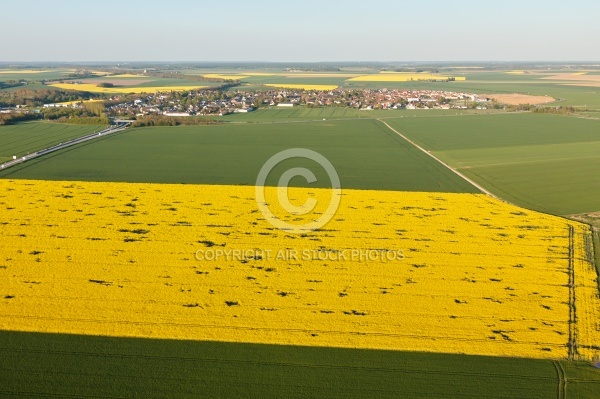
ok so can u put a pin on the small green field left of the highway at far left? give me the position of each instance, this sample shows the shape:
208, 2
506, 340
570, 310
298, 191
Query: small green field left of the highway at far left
23, 138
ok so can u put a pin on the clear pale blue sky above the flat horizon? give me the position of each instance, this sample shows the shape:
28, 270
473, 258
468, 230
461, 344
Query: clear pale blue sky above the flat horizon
303, 30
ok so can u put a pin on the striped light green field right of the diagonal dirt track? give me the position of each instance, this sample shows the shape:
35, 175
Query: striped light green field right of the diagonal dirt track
545, 162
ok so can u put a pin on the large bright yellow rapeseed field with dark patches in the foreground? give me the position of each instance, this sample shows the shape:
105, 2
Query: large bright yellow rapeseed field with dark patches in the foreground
455, 273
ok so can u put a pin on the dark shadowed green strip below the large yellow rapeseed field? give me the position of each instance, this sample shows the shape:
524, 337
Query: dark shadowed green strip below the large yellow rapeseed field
51, 365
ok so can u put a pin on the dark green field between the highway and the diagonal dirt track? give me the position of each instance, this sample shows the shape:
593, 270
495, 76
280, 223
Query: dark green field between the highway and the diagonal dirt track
365, 154
